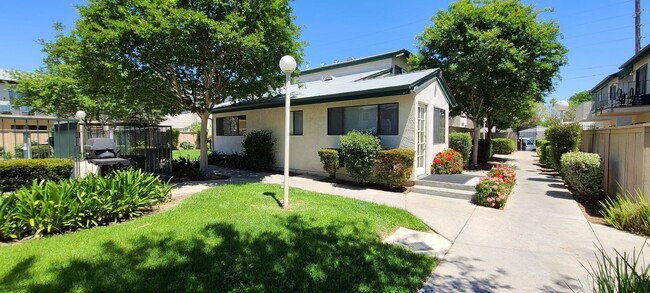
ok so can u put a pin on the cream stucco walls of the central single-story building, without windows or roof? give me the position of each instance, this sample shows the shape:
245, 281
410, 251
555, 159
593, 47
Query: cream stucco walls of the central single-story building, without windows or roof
303, 153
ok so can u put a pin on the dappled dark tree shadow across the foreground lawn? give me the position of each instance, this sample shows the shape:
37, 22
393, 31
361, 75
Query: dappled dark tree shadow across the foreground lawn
305, 258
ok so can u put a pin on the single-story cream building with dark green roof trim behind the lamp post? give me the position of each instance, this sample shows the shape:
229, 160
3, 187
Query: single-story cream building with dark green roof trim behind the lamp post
377, 93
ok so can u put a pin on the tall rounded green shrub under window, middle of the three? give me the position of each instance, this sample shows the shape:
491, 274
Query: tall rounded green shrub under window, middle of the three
359, 150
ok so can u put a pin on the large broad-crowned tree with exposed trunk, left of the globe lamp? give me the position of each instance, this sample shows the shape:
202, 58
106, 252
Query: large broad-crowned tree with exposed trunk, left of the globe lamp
188, 54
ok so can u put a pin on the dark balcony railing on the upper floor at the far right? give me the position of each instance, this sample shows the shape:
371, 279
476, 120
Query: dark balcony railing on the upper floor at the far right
622, 94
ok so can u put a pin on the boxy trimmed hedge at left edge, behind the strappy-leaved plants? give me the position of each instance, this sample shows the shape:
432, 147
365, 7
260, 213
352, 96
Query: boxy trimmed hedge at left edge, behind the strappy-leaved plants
20, 172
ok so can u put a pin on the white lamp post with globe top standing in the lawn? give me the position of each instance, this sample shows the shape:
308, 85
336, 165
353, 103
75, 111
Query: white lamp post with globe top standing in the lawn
288, 65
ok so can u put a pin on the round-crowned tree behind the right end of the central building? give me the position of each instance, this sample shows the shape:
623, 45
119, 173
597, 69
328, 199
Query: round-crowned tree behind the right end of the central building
496, 56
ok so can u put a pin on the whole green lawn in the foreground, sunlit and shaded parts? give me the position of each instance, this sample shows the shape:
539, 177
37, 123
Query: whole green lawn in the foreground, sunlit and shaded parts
229, 238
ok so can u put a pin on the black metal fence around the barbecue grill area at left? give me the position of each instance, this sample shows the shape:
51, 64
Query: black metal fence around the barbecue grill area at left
148, 147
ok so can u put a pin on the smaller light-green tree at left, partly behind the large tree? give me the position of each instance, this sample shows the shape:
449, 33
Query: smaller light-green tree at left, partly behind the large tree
58, 88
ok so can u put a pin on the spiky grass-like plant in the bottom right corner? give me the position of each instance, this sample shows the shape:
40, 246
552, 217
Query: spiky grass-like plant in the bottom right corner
621, 273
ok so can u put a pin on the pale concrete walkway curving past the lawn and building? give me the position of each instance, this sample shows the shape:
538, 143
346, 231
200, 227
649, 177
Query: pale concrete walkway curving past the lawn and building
540, 242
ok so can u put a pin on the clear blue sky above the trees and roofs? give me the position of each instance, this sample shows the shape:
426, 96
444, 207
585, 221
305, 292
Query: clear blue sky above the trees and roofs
598, 33
